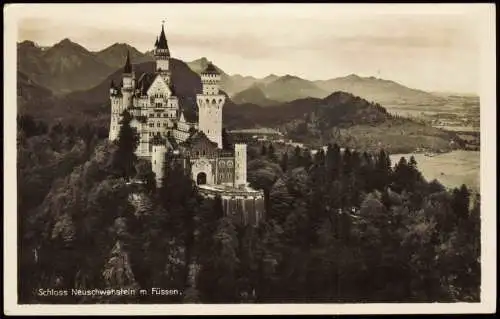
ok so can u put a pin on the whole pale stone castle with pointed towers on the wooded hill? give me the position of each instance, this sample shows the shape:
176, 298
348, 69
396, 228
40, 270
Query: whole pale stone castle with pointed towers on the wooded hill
164, 128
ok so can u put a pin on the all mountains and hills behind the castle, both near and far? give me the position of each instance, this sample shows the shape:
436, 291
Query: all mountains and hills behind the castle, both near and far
66, 82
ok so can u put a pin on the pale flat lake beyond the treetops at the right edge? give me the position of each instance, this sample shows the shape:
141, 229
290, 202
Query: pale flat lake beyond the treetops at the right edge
451, 169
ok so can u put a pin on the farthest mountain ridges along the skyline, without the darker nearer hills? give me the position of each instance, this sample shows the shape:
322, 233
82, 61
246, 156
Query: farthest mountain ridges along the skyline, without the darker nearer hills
67, 67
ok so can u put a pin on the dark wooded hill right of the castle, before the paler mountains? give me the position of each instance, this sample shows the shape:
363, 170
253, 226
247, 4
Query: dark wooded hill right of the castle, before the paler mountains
343, 118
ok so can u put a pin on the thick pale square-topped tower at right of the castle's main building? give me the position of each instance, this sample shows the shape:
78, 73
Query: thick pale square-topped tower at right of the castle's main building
210, 104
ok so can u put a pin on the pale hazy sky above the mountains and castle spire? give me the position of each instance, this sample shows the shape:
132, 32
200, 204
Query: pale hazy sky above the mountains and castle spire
431, 47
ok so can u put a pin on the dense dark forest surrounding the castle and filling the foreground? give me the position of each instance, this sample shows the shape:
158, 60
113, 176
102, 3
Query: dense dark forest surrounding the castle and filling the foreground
341, 226
